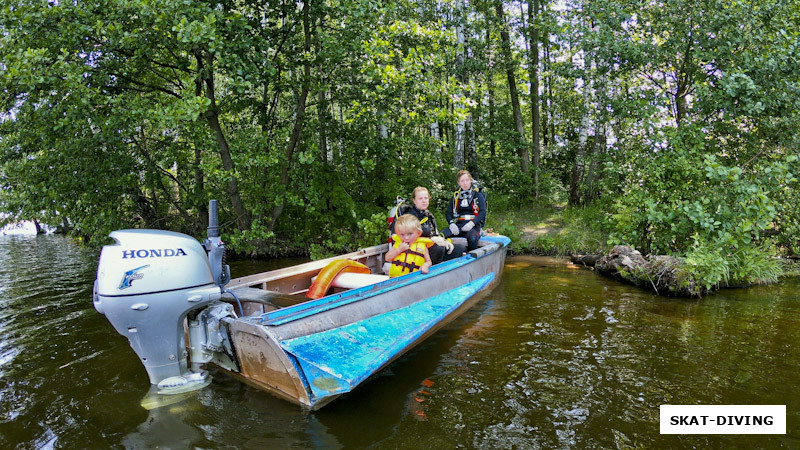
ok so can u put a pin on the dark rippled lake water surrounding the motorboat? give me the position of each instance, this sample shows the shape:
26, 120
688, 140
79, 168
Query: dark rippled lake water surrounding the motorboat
555, 357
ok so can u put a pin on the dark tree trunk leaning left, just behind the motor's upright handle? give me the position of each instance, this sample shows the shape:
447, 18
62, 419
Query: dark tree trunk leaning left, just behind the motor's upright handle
205, 64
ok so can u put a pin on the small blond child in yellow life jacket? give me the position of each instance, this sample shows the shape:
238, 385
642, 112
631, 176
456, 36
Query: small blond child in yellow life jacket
410, 251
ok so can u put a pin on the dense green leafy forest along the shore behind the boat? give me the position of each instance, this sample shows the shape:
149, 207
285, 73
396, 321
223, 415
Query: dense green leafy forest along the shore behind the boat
678, 120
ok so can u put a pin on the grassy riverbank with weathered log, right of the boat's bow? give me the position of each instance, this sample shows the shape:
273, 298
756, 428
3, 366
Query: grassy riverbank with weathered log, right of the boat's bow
581, 233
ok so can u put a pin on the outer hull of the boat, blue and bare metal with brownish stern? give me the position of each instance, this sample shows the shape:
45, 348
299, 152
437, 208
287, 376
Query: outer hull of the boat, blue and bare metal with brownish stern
313, 352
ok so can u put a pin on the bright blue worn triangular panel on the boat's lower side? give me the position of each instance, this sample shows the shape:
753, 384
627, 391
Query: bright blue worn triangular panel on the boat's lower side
337, 360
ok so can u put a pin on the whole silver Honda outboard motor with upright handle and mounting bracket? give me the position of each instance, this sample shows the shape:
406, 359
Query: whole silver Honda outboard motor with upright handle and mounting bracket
148, 282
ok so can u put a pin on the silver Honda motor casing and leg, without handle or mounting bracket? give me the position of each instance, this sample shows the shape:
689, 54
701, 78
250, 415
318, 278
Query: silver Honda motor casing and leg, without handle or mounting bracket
147, 283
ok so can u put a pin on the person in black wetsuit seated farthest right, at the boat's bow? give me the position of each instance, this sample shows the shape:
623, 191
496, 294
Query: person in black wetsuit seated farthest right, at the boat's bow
466, 211
